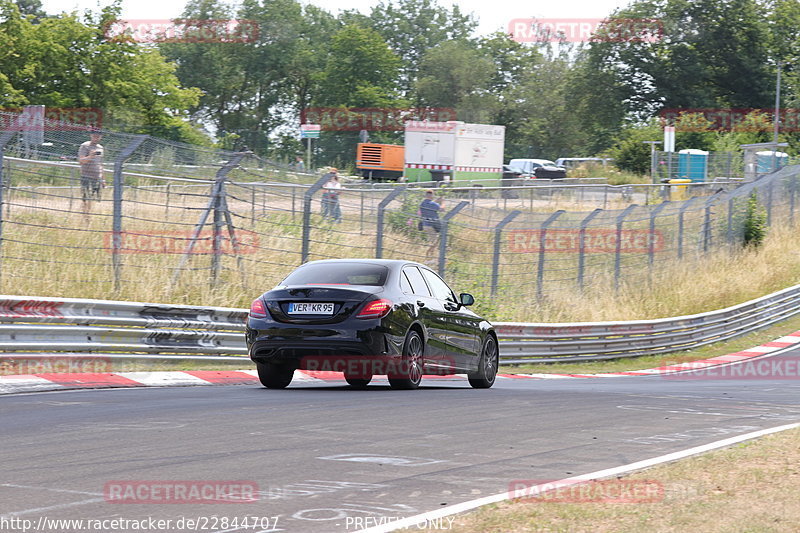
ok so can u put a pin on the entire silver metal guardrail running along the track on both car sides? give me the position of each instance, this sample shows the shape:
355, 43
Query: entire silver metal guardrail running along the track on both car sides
131, 330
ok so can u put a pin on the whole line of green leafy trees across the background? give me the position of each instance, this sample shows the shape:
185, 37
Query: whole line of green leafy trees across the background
556, 98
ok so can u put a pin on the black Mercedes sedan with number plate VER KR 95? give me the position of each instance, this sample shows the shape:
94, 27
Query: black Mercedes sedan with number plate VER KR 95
367, 317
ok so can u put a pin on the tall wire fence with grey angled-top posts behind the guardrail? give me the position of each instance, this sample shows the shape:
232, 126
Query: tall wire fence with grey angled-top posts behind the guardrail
182, 223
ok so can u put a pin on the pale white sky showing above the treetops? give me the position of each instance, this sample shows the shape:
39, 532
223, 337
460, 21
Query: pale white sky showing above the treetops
492, 16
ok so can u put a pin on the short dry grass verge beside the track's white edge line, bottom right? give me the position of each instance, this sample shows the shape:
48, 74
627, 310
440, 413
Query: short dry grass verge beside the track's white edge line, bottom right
751, 487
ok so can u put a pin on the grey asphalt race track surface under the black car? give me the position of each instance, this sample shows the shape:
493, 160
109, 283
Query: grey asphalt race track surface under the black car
323, 456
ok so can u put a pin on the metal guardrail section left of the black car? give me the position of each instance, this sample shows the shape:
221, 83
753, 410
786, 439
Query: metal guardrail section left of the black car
123, 330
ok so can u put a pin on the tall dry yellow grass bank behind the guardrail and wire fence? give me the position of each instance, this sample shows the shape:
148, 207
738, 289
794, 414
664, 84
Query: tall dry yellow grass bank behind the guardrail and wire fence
74, 263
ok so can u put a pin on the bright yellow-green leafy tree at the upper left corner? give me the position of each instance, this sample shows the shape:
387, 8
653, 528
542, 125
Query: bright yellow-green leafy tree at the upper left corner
67, 62
